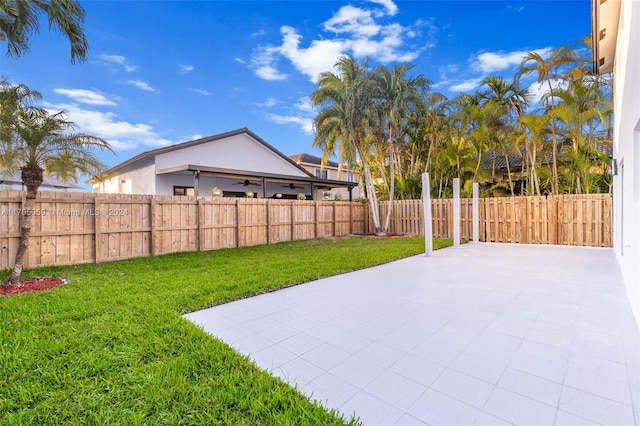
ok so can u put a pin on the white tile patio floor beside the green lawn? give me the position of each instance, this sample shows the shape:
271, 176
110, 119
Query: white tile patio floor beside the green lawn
484, 334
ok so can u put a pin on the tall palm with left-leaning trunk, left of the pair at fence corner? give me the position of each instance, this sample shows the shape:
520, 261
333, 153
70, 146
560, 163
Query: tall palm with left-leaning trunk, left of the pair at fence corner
348, 109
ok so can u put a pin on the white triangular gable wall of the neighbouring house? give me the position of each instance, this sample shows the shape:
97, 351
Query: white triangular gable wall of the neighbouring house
239, 152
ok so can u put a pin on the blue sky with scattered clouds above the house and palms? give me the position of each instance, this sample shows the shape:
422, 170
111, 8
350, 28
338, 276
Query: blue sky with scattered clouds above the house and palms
164, 72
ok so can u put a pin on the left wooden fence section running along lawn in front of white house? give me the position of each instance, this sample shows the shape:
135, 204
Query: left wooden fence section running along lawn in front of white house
70, 228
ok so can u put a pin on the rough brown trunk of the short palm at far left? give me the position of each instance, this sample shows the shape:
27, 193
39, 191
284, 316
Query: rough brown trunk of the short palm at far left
32, 178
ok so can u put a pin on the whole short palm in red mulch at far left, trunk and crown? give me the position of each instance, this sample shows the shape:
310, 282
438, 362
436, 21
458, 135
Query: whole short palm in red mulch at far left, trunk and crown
38, 140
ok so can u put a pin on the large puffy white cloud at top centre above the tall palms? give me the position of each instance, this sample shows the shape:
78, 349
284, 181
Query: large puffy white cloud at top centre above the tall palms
356, 31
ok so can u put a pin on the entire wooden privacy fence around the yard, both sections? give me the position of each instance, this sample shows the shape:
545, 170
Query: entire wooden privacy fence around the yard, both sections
71, 228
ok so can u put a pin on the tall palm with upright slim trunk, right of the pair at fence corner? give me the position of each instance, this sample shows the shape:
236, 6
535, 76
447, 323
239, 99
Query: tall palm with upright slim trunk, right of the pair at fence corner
401, 96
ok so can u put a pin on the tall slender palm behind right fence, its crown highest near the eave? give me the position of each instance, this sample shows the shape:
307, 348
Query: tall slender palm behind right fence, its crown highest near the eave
547, 71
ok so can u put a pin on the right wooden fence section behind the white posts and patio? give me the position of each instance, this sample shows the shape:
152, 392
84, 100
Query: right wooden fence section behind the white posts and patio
579, 220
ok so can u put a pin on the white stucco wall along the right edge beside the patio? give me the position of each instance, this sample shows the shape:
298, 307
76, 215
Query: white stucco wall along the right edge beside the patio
626, 148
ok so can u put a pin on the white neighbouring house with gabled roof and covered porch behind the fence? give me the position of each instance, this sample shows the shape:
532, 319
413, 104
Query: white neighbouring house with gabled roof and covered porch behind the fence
239, 163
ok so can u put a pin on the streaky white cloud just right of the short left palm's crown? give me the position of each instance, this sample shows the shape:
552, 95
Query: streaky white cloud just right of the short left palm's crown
121, 135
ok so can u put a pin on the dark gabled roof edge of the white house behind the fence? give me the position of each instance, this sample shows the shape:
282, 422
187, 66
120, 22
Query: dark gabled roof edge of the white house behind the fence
151, 154
